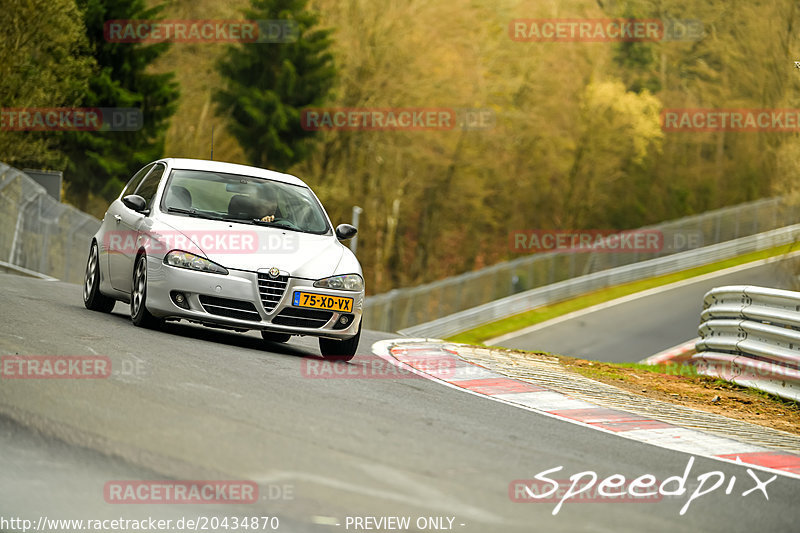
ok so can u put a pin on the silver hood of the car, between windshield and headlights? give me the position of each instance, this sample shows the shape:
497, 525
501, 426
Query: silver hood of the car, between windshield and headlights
253, 248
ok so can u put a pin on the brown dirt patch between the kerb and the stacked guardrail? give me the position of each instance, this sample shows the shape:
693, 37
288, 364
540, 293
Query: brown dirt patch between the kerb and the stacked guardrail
680, 384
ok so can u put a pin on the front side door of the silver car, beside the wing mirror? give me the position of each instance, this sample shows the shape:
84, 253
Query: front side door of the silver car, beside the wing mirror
128, 223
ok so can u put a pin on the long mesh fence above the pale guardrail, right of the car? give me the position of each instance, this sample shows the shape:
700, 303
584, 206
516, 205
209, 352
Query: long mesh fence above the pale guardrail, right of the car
402, 309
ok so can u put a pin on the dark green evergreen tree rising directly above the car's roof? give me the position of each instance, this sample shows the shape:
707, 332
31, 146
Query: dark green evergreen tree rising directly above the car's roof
267, 85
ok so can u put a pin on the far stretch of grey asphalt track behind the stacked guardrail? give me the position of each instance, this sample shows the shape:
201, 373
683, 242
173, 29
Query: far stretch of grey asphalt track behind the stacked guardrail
631, 331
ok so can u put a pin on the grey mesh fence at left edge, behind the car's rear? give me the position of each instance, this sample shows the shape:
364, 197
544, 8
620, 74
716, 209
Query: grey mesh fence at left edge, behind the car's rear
39, 233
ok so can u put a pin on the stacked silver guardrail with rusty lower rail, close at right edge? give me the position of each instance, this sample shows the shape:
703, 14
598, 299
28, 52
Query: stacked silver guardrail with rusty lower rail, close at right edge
751, 336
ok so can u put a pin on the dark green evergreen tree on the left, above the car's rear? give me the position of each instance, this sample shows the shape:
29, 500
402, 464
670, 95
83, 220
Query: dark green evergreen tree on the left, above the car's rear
100, 162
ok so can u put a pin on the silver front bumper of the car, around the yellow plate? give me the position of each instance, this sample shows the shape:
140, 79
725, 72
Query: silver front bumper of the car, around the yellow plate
235, 301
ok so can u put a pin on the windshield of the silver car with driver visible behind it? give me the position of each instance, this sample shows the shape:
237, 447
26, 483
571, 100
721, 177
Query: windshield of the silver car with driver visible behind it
246, 199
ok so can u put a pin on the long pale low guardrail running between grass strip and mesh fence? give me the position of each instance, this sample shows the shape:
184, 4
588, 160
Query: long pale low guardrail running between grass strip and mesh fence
512, 305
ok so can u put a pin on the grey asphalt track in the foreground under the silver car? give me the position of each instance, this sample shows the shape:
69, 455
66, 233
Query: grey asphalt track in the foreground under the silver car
192, 403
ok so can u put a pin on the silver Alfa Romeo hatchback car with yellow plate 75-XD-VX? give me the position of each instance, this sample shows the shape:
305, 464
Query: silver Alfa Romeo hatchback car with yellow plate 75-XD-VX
227, 246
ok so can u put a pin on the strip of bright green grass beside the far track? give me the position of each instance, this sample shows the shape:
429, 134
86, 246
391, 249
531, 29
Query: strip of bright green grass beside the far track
514, 323
